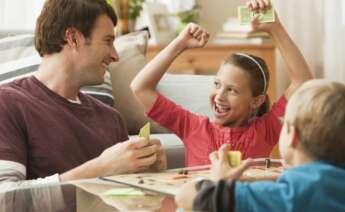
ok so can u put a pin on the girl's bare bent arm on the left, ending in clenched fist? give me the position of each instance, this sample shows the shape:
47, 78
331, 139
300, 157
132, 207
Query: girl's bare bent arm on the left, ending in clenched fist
144, 84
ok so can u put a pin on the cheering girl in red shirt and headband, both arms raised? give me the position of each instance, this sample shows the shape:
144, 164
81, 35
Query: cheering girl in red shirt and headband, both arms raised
238, 100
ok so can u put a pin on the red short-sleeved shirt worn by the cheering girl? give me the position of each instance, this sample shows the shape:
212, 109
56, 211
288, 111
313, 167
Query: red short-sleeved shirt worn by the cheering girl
201, 137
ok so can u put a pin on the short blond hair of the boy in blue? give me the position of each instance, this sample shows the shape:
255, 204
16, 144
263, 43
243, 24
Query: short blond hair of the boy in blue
317, 110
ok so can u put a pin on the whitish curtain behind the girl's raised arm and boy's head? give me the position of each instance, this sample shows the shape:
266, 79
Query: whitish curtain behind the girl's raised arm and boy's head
318, 28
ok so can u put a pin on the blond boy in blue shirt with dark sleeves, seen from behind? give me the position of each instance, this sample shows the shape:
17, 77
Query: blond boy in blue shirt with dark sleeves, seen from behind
312, 141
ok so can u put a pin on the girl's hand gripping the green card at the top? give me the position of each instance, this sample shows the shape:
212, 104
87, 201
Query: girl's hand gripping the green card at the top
262, 5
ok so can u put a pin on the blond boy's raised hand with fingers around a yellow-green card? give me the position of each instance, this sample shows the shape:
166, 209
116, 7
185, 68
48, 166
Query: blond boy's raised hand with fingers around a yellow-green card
221, 168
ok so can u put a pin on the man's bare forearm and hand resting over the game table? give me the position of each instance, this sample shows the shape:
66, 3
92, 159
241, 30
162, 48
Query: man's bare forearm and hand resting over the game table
134, 155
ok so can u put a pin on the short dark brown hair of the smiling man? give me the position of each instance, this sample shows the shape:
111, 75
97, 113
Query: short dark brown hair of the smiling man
59, 15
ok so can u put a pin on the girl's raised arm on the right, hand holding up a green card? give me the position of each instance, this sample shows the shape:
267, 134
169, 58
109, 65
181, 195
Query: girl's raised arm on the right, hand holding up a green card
297, 67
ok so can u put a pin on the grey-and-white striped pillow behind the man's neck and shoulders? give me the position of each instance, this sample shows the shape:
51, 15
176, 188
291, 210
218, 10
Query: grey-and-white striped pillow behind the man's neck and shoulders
18, 59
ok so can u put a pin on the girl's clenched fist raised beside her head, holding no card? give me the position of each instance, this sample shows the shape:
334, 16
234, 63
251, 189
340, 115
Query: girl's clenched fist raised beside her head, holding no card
193, 36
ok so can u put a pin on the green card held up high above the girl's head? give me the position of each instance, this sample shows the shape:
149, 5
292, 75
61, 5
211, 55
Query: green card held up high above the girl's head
245, 15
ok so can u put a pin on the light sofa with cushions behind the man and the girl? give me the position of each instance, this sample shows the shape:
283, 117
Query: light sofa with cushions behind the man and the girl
18, 58
